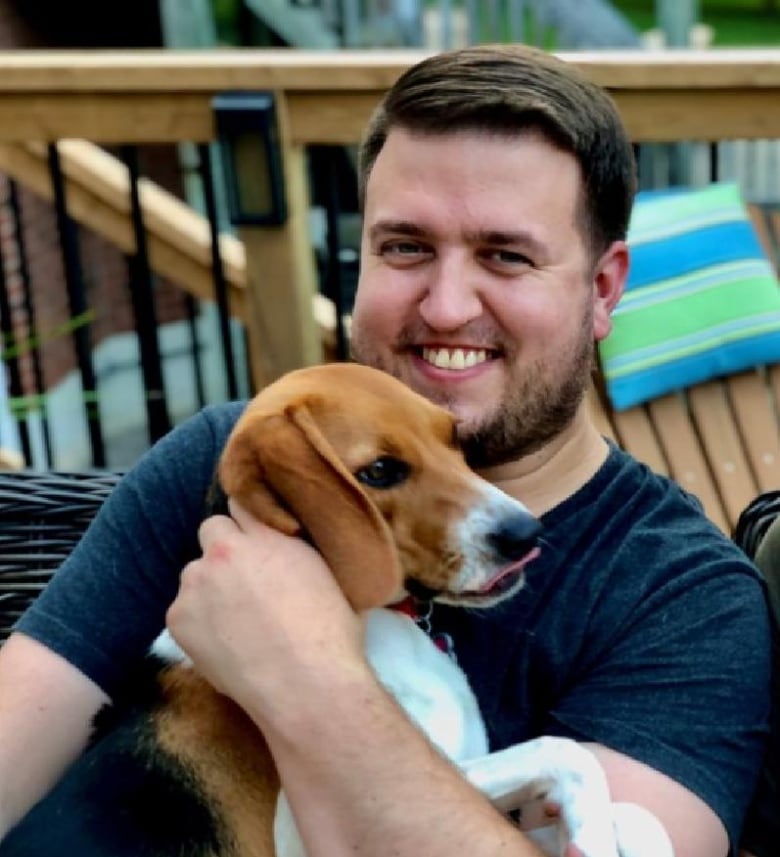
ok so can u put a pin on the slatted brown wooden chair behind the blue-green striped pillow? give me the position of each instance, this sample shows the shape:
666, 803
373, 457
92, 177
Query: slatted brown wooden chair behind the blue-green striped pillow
720, 440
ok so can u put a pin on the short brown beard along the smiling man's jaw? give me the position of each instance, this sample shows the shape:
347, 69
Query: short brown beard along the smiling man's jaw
541, 403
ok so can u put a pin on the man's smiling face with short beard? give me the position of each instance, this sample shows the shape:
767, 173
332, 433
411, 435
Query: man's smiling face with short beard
476, 286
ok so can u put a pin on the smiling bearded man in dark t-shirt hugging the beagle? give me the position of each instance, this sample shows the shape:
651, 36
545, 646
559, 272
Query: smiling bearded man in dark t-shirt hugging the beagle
497, 187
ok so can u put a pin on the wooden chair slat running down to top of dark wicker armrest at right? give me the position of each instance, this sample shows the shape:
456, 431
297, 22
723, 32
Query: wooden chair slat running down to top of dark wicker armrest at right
722, 447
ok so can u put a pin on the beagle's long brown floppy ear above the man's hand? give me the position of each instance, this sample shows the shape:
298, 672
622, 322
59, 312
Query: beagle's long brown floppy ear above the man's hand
283, 470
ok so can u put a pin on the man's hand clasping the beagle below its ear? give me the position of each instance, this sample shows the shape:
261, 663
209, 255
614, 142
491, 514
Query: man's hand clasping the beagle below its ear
261, 615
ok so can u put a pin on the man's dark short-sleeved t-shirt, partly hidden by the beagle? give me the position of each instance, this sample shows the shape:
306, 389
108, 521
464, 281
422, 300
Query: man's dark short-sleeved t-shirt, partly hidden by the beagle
641, 627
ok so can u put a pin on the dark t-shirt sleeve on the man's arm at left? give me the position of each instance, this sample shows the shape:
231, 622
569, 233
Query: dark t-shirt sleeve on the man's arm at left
107, 602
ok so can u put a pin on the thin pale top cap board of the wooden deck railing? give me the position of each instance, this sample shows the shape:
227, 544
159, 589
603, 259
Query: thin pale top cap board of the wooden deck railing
353, 70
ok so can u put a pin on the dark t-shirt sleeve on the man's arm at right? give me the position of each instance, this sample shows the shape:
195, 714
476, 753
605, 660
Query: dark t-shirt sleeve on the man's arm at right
681, 683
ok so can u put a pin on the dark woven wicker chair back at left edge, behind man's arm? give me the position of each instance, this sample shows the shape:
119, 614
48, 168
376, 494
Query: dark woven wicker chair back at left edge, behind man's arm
42, 516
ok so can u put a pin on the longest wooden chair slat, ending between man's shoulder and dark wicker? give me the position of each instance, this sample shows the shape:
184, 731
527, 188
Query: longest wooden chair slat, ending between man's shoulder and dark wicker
682, 450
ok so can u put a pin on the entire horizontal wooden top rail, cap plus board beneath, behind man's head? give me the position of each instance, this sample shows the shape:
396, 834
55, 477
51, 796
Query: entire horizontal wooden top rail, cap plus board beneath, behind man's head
158, 96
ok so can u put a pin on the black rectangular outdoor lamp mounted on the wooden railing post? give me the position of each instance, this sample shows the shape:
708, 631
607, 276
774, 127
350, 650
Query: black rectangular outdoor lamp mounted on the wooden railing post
252, 161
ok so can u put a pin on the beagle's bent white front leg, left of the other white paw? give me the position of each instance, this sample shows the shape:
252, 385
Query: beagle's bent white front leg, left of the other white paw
558, 771
